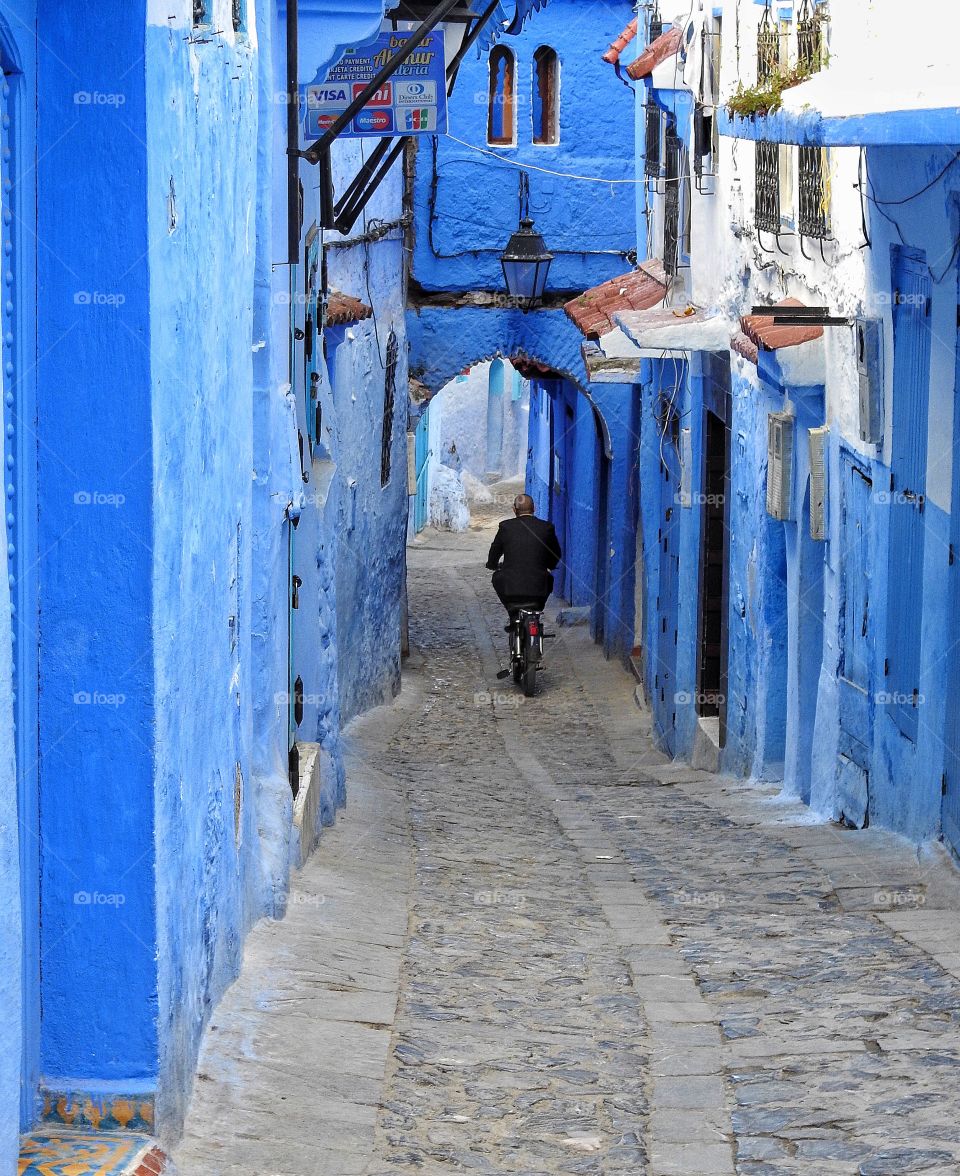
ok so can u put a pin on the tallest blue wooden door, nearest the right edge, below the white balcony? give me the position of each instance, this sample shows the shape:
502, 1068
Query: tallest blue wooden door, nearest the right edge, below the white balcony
908, 486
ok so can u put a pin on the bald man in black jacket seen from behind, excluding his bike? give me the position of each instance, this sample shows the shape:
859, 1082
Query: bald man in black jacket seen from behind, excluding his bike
530, 551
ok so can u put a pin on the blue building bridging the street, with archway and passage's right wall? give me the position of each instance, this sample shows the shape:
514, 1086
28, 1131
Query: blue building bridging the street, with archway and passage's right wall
536, 106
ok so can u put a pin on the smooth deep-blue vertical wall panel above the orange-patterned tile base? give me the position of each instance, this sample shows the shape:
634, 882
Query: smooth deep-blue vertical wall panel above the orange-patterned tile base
96, 518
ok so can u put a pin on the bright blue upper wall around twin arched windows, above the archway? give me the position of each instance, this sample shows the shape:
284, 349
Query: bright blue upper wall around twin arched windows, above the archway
466, 203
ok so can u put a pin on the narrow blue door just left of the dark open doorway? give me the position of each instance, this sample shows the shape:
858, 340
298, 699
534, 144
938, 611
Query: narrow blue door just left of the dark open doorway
668, 598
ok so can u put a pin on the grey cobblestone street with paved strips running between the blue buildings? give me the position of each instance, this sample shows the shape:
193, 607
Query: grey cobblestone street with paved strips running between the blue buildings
535, 946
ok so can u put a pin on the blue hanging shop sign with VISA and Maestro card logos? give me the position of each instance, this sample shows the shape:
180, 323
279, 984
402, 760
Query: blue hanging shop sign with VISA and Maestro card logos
412, 103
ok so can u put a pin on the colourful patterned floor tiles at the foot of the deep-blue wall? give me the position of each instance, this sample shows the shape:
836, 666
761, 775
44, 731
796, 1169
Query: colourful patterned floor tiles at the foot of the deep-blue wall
89, 1154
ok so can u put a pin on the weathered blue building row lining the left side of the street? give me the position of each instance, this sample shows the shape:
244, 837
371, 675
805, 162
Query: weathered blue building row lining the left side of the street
192, 500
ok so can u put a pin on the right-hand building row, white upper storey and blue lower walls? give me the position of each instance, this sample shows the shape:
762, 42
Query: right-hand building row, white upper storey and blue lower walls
791, 499
